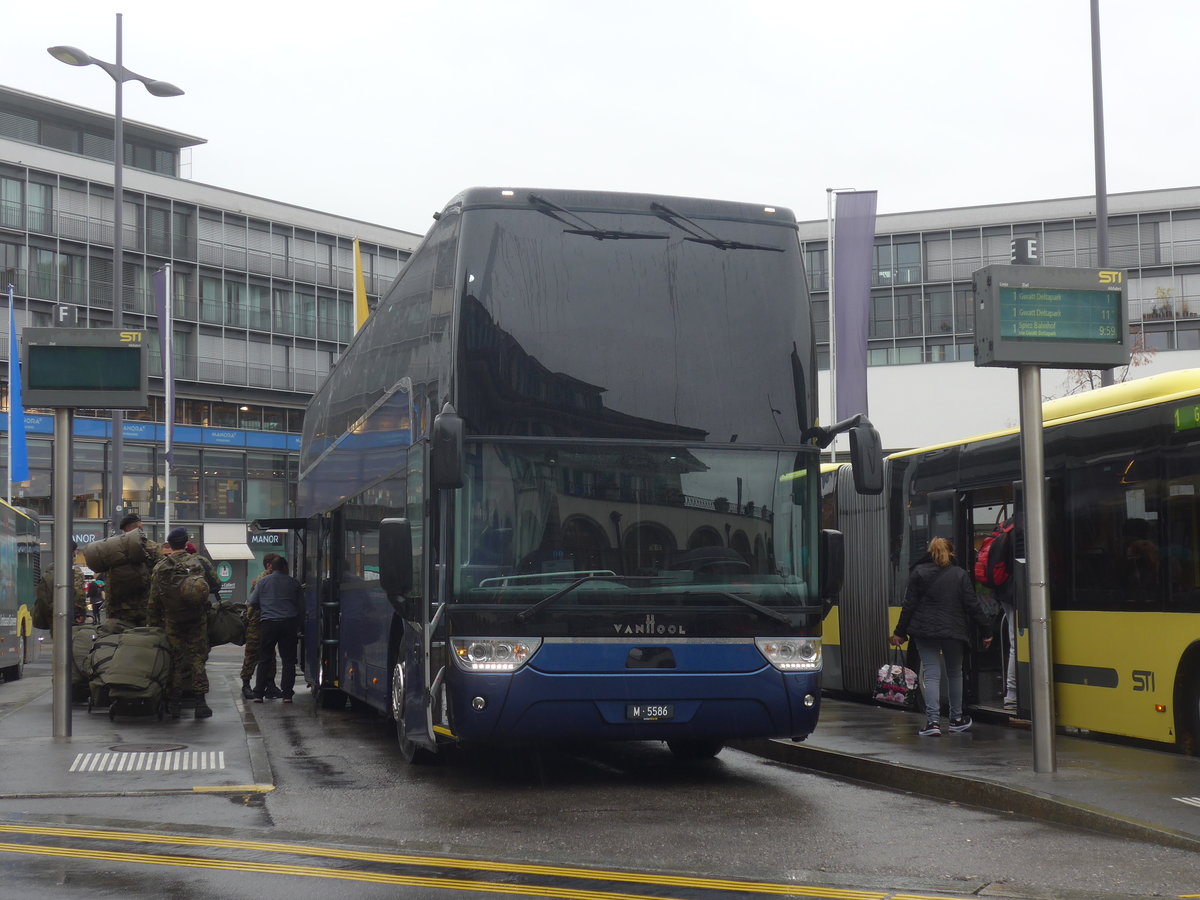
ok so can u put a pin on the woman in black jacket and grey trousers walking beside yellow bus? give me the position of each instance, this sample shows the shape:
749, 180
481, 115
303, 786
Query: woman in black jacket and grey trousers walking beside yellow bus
937, 605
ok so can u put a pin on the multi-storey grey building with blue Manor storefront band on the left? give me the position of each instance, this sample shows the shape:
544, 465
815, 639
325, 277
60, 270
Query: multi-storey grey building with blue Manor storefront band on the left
262, 297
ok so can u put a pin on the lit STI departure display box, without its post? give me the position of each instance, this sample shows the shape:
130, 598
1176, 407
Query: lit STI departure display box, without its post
1048, 316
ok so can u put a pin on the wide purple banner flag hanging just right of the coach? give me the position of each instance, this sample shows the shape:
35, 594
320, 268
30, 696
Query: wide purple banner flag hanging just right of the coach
854, 245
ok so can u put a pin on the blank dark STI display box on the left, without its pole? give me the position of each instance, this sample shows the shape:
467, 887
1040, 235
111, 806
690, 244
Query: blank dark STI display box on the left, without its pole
69, 368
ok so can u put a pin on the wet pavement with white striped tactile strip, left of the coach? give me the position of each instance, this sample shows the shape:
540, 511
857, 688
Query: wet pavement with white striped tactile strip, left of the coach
129, 757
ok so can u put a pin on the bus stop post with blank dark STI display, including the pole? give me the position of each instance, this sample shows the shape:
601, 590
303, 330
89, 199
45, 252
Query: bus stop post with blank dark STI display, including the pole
65, 369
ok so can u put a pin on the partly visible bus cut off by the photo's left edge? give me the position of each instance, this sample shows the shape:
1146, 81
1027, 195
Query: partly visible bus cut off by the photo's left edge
19, 577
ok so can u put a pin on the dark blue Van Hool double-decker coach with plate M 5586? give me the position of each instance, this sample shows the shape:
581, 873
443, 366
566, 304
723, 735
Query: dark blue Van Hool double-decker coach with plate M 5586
565, 483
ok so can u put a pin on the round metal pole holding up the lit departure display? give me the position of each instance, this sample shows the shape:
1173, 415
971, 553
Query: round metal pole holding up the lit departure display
1041, 647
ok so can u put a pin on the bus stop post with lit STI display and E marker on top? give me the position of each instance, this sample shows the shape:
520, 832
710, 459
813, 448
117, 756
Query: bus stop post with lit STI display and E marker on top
1030, 317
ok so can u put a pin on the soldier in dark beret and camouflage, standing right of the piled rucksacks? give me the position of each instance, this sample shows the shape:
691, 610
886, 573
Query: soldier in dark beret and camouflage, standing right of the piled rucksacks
187, 623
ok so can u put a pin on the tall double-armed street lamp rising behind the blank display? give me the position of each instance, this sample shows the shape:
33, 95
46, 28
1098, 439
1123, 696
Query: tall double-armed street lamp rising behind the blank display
121, 75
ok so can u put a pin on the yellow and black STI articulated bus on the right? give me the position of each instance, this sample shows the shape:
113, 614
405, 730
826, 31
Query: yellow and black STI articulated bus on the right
1123, 469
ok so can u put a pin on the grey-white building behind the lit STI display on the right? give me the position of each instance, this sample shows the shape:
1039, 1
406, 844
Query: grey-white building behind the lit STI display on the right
923, 387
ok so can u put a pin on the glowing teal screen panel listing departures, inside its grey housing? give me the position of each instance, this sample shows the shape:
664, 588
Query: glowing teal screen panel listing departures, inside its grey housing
1035, 314
